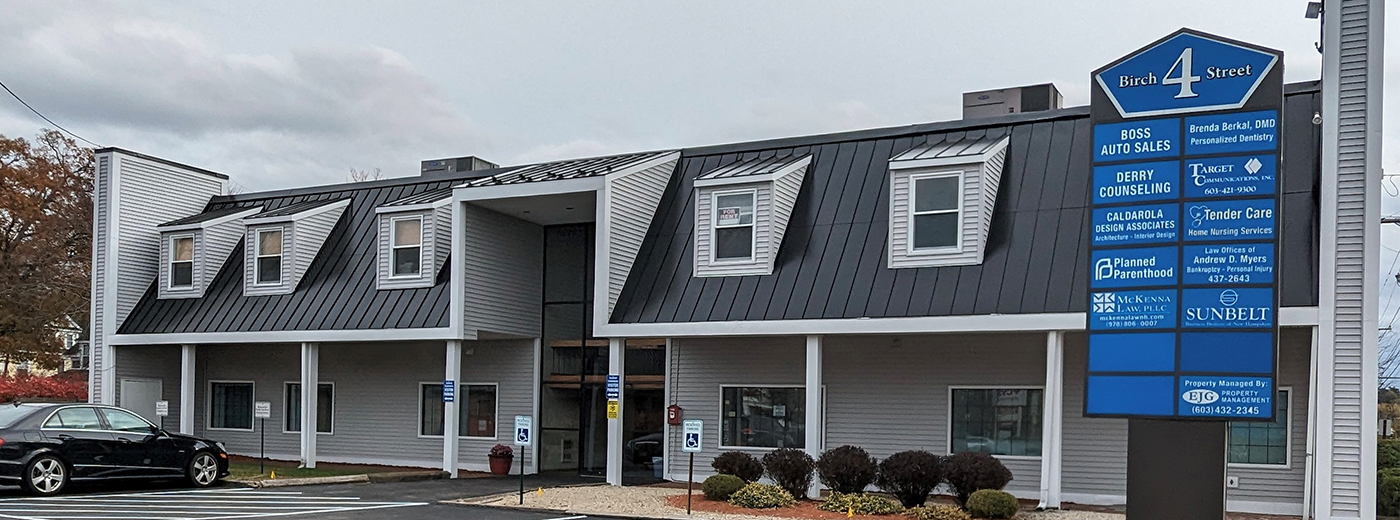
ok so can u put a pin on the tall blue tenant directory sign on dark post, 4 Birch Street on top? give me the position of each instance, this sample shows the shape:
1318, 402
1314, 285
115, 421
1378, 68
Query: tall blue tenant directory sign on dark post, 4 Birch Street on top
1184, 260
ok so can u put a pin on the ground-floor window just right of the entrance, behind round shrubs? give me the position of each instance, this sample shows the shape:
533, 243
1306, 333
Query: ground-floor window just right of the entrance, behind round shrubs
764, 418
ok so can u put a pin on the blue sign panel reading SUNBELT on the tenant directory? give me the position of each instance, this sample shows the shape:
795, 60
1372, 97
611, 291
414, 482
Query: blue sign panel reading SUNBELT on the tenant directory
1228, 308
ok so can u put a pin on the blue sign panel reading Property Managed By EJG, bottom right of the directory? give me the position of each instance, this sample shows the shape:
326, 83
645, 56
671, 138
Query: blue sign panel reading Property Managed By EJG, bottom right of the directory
1227, 397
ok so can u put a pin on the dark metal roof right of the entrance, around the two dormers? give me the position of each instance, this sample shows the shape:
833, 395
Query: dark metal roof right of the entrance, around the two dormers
832, 263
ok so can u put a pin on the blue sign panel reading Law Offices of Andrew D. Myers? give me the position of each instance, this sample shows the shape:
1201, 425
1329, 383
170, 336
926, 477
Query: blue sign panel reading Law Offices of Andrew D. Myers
1228, 264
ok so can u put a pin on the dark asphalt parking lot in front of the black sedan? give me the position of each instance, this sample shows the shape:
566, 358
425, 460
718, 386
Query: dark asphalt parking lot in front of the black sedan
393, 501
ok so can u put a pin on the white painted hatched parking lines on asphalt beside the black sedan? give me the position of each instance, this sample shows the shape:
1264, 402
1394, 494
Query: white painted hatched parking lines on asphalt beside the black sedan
185, 505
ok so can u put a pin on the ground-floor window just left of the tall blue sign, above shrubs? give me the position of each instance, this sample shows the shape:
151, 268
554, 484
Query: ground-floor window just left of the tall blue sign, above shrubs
1002, 423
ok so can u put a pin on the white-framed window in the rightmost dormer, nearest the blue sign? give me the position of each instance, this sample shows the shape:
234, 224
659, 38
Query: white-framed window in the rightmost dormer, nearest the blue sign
937, 212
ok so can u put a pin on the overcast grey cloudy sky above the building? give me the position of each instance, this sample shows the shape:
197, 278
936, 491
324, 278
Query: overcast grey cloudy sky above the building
282, 95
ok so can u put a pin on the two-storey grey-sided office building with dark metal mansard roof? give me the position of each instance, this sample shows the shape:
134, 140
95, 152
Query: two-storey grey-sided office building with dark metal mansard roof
905, 288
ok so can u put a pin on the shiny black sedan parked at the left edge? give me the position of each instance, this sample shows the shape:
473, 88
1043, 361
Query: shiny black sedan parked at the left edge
47, 446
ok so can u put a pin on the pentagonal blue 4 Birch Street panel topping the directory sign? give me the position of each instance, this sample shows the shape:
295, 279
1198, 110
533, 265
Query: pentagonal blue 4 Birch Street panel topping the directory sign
1185, 74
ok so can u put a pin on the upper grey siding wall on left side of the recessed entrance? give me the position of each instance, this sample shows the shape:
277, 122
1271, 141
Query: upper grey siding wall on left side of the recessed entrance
503, 274
